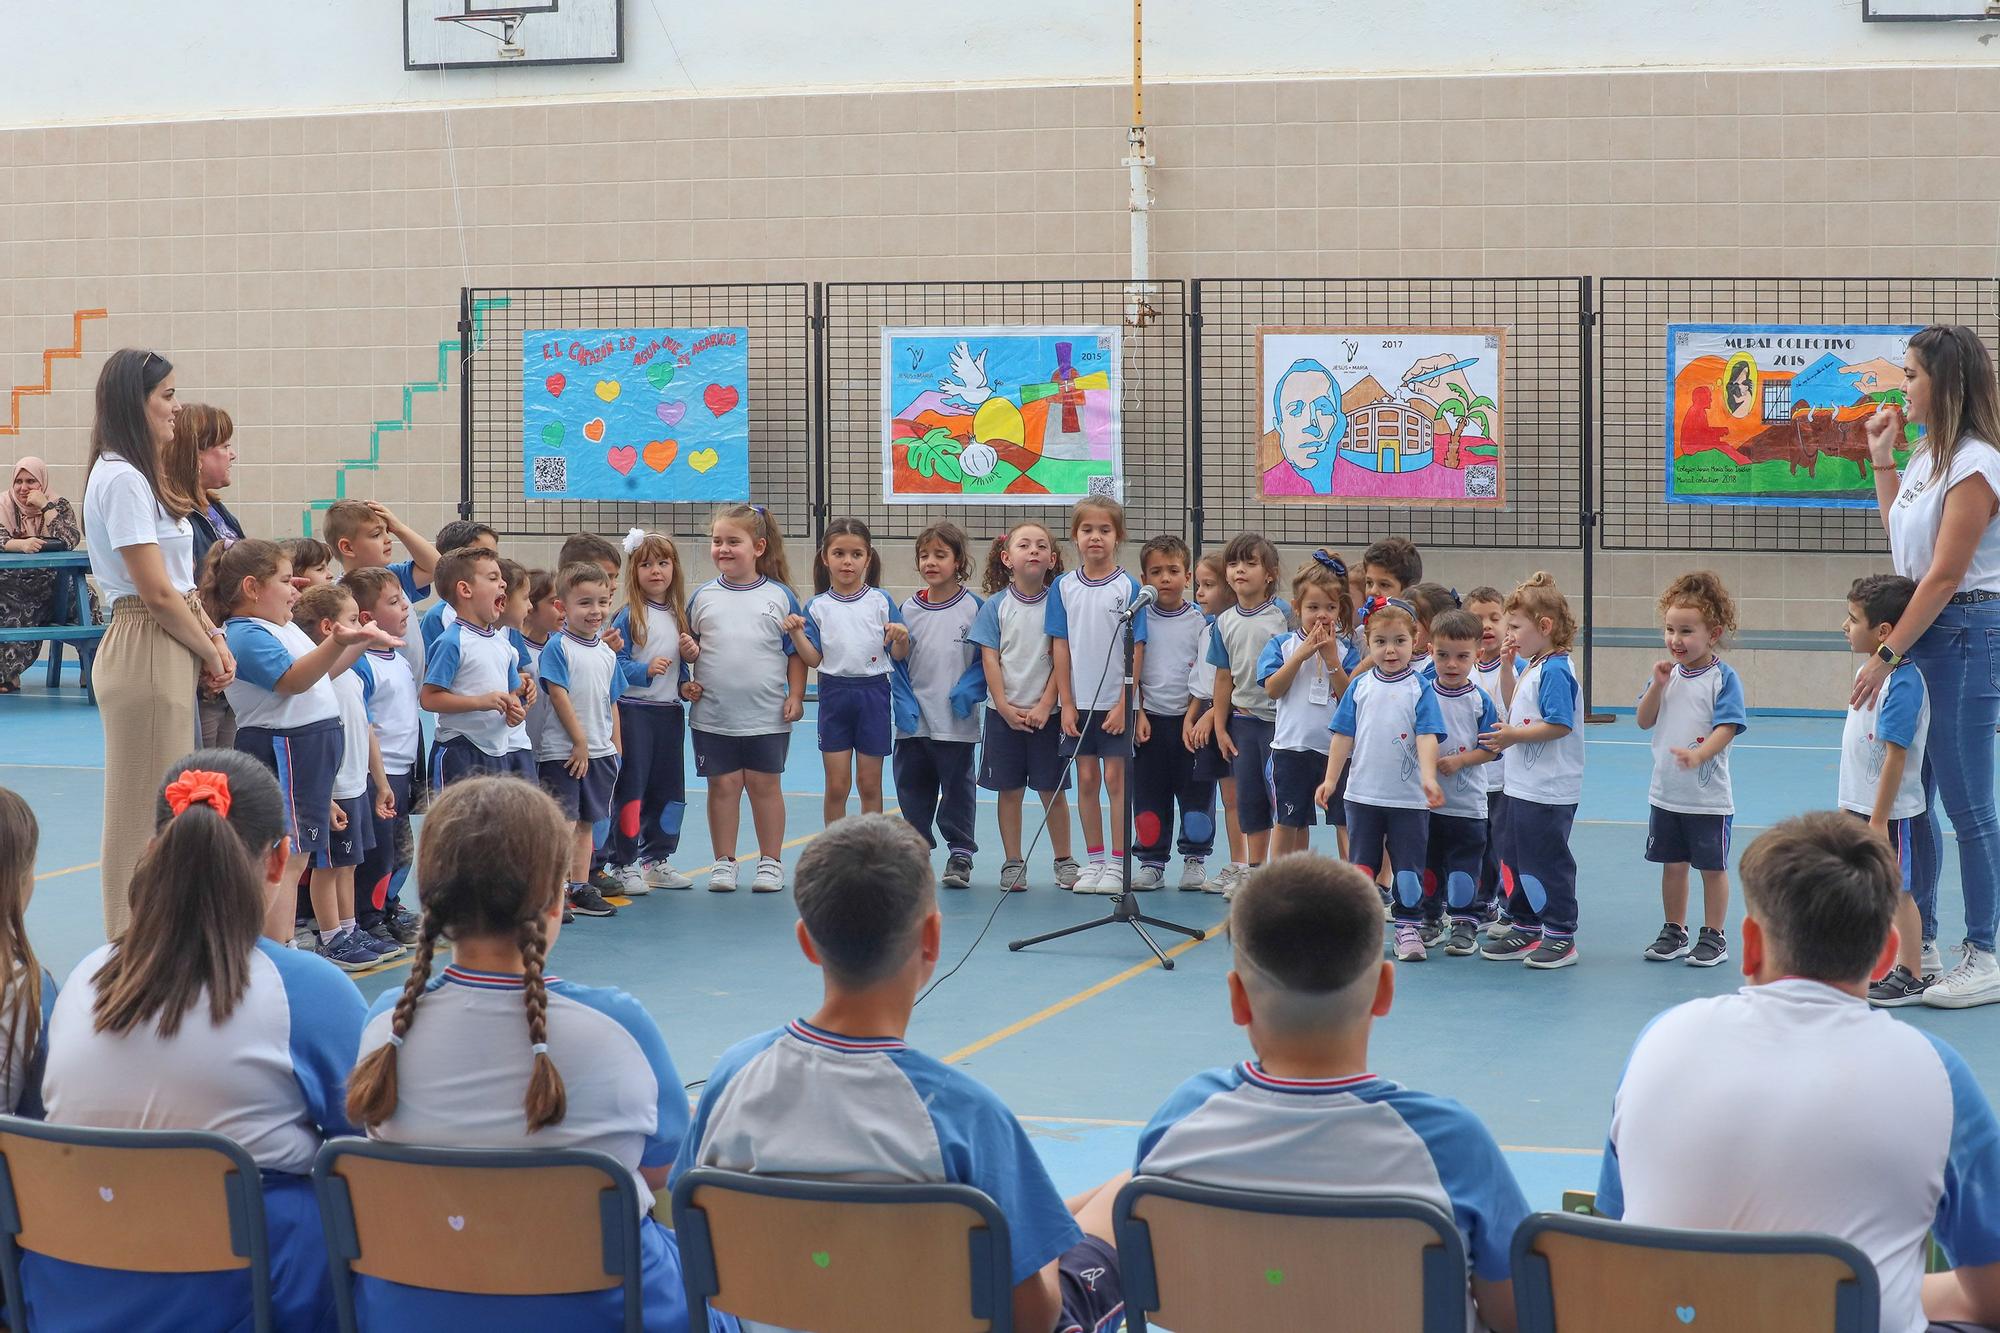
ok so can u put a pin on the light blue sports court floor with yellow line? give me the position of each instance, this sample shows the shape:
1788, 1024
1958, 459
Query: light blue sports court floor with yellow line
1087, 1036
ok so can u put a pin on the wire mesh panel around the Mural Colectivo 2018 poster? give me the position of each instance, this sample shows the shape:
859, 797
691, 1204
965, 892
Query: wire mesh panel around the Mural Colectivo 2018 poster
1633, 321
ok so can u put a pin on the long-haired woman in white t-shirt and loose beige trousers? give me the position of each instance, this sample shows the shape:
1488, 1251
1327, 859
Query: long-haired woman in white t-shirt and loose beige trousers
161, 645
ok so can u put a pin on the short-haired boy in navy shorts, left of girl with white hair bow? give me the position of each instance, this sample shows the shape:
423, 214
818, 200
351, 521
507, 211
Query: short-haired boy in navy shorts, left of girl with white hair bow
579, 756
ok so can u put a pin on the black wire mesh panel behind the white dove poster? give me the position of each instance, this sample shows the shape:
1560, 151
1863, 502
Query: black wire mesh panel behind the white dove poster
1153, 403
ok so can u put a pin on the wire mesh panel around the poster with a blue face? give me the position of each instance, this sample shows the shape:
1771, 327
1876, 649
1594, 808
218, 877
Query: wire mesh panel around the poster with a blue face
1545, 413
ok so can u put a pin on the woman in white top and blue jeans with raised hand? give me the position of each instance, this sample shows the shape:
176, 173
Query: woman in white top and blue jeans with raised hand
1941, 515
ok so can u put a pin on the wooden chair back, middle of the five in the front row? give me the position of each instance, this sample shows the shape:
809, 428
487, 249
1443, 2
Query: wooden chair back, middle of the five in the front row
841, 1258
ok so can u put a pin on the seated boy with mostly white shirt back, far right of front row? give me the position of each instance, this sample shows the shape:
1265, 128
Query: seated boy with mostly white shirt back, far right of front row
1765, 1110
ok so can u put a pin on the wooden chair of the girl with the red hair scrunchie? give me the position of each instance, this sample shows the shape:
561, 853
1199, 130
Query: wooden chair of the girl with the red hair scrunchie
135, 1200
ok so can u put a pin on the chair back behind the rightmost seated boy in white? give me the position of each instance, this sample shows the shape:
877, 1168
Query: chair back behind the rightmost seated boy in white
1581, 1274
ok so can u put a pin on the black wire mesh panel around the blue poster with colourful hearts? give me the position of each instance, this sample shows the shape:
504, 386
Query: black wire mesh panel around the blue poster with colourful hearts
779, 321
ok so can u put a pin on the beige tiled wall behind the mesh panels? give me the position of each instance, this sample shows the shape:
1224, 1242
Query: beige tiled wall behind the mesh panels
301, 271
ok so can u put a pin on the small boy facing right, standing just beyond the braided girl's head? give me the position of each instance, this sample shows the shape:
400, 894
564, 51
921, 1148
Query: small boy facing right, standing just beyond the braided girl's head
473, 674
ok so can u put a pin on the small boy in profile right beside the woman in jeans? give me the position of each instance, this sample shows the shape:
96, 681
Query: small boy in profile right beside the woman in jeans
1883, 772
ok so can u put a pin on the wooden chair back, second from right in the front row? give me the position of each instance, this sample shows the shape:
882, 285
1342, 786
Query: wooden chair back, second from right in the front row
1207, 1260
